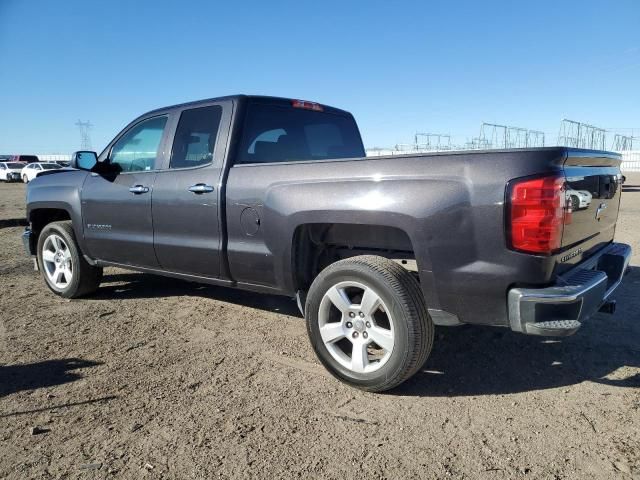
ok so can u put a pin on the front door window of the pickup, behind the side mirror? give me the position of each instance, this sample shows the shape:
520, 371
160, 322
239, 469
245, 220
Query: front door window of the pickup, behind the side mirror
137, 150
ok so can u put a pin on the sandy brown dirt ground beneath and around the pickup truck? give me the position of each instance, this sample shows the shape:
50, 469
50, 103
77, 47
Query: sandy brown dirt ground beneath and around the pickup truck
157, 378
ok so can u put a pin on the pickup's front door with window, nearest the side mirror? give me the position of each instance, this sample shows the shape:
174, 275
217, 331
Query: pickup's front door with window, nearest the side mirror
116, 204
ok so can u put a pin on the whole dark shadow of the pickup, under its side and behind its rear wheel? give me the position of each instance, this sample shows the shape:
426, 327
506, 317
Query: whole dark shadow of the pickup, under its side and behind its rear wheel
467, 360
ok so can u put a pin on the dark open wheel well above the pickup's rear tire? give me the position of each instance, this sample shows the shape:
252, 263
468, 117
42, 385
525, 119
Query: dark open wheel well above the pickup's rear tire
317, 245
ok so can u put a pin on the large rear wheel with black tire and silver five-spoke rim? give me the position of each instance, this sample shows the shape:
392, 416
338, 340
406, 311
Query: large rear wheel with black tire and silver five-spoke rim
394, 334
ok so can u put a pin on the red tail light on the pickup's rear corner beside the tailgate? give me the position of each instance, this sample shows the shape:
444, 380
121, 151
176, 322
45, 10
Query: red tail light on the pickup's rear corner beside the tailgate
537, 214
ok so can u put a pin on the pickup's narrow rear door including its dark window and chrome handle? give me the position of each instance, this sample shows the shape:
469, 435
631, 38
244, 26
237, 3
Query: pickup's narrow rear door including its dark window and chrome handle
186, 198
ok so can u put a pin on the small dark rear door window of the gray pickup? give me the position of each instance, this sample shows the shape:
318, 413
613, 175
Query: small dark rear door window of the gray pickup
196, 137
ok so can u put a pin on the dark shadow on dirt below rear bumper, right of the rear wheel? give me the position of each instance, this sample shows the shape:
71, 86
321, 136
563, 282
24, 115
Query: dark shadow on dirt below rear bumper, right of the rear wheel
472, 360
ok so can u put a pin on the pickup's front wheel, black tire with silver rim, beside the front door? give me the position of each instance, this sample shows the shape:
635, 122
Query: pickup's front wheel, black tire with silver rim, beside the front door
64, 262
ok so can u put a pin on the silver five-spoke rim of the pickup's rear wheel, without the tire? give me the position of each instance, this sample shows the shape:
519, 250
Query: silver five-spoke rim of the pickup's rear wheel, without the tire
356, 327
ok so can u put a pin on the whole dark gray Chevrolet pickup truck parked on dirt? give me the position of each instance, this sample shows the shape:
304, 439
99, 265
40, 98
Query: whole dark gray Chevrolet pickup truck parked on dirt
275, 195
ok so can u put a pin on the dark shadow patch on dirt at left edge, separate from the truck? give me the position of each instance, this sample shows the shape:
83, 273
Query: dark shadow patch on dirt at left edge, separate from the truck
48, 373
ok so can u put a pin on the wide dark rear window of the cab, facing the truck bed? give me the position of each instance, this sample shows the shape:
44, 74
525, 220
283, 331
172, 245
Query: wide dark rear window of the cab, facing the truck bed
282, 134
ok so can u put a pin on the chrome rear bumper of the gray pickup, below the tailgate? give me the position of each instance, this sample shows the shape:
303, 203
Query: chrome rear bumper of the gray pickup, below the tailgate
560, 310
